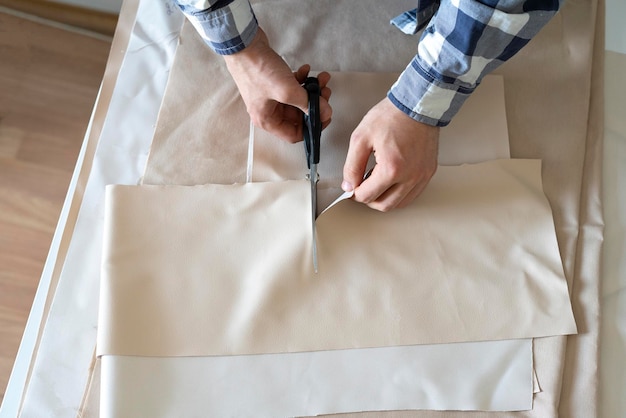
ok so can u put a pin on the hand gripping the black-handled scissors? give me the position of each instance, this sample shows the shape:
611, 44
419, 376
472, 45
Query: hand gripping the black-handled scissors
273, 93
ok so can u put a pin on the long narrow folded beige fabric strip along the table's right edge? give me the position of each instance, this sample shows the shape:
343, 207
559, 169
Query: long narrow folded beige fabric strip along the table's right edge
580, 379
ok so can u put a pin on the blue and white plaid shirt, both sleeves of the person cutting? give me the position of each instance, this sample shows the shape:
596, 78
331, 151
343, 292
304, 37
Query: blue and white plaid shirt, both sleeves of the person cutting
463, 40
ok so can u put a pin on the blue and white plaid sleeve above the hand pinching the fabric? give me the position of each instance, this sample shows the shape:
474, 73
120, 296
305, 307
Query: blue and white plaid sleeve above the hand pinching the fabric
463, 41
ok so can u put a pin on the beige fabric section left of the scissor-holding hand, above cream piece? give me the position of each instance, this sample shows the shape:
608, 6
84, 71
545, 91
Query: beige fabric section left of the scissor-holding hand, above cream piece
189, 145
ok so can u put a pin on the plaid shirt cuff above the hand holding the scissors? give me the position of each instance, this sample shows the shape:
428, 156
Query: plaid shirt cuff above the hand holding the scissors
227, 26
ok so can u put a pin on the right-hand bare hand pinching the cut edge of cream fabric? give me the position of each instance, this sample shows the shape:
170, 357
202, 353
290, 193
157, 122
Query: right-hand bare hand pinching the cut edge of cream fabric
406, 158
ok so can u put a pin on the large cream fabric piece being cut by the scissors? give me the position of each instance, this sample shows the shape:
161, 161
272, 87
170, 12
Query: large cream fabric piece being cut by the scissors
473, 255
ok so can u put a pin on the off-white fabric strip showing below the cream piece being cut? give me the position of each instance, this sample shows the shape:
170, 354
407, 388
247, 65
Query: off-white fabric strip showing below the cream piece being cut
437, 377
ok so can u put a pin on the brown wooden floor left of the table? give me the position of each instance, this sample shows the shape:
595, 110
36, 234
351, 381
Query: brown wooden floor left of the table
49, 79
